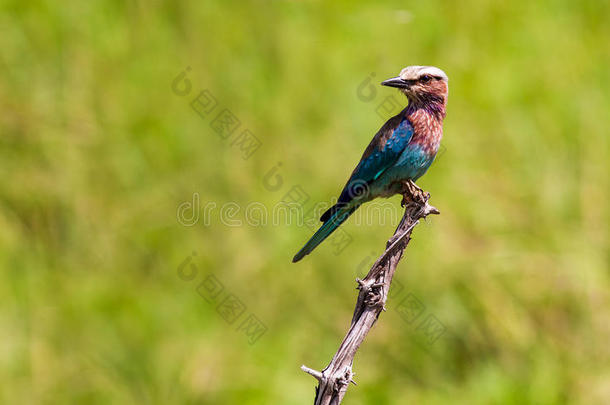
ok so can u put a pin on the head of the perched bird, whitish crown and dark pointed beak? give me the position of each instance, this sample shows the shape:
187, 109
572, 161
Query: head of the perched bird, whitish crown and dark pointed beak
421, 84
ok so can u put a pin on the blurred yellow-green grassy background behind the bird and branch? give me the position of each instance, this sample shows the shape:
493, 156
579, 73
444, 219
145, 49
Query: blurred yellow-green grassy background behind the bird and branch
98, 153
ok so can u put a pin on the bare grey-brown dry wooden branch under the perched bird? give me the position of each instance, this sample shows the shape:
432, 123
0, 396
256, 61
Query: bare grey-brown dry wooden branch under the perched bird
335, 378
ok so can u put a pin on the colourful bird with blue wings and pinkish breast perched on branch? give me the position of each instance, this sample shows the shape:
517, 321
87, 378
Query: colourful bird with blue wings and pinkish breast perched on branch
400, 152
